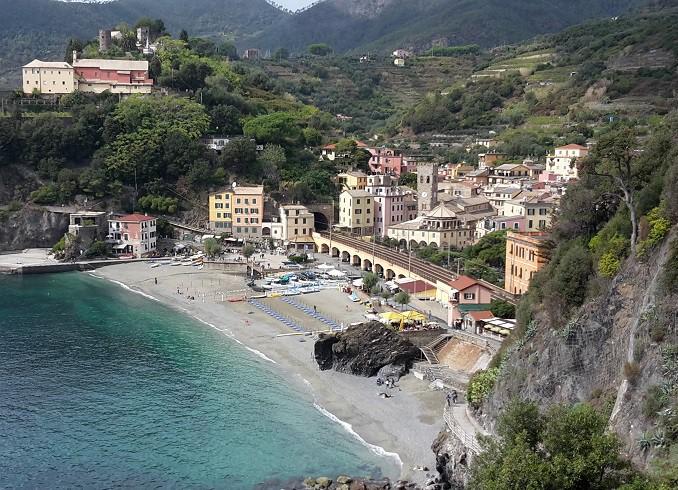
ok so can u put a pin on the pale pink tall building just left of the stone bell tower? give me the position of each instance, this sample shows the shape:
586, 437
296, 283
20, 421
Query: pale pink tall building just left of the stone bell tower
392, 205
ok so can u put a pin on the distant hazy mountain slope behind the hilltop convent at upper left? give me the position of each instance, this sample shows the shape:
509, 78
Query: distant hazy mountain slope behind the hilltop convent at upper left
40, 28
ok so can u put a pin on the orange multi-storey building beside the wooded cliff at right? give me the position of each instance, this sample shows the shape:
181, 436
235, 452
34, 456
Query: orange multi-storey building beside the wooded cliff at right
526, 253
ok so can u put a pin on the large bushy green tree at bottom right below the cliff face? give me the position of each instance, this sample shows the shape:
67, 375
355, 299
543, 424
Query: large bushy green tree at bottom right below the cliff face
565, 449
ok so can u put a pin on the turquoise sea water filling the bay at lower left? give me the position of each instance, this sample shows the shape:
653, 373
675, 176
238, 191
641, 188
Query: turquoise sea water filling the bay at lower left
100, 387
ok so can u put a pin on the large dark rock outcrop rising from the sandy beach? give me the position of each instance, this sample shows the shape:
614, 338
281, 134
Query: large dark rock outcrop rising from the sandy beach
363, 350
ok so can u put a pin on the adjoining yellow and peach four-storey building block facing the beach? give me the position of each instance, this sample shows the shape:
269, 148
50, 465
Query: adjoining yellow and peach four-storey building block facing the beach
238, 211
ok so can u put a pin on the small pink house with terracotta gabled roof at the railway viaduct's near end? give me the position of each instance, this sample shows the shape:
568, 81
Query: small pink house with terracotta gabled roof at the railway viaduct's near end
470, 302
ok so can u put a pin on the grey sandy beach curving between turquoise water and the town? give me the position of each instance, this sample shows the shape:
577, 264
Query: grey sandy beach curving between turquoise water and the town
401, 427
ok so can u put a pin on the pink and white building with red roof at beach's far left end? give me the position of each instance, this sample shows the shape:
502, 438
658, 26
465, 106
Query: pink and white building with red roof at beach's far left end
132, 234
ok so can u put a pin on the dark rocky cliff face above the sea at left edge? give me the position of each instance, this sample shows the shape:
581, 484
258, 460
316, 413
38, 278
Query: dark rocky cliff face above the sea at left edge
31, 227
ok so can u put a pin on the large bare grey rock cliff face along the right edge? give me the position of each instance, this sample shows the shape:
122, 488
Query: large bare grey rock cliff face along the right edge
608, 354
